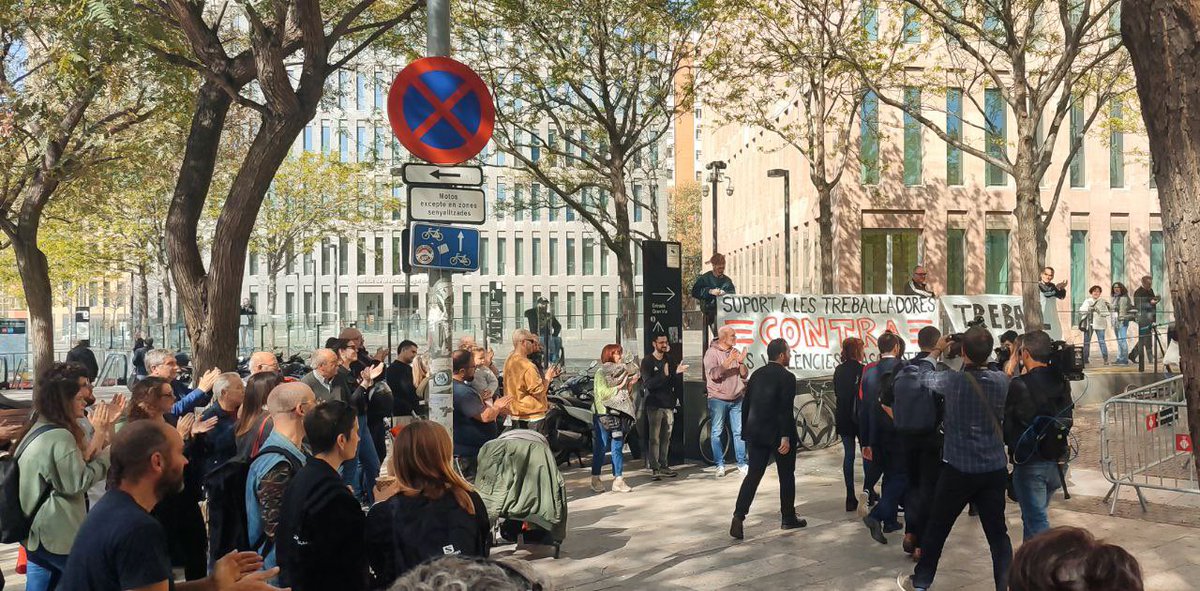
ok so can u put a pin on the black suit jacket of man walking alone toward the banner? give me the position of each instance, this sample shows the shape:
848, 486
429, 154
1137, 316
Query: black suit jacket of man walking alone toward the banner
767, 414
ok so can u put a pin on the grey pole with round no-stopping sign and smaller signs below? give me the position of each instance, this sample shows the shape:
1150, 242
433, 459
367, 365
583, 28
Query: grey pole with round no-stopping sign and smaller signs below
443, 114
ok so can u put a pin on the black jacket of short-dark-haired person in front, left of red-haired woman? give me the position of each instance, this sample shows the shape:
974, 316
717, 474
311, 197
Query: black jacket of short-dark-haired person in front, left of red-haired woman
320, 541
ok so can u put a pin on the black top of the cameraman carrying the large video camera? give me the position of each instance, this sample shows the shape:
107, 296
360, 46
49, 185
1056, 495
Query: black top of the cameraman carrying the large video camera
1039, 407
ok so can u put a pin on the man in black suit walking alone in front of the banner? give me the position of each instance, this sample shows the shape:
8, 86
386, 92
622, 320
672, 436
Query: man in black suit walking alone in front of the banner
770, 429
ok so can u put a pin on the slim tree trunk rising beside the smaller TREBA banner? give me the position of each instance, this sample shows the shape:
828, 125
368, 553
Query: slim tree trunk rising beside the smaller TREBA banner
1031, 258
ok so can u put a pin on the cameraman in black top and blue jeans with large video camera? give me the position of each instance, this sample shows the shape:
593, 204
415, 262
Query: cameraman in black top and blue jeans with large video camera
1037, 425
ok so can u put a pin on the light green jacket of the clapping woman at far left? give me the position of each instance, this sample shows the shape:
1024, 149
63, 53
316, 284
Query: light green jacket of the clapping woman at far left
55, 459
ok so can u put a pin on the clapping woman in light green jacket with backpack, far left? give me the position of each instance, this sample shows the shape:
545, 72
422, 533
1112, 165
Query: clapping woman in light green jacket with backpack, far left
46, 487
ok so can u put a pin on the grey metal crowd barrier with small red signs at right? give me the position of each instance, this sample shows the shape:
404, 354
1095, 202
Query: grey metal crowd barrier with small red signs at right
1145, 441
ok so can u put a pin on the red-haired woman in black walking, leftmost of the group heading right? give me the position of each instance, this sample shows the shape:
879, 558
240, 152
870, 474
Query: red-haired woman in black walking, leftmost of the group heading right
880, 445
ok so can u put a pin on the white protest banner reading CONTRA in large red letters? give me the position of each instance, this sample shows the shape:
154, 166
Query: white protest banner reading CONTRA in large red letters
815, 326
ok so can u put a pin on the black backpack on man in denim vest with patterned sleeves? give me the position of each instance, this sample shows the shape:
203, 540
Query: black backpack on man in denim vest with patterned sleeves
226, 489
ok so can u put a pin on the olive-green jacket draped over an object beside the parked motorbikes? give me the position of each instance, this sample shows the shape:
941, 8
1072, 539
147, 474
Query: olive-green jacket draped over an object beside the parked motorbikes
519, 479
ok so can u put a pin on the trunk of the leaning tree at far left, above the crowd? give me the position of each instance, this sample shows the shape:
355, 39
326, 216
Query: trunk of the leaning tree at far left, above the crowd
35, 279
